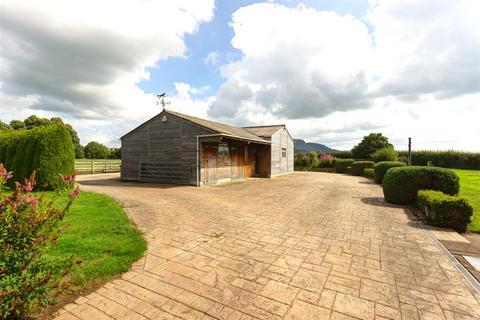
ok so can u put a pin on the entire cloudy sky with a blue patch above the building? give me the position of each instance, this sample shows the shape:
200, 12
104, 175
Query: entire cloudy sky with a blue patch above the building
332, 70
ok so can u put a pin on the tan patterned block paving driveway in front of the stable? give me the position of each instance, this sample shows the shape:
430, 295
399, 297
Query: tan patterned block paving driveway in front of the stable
299, 246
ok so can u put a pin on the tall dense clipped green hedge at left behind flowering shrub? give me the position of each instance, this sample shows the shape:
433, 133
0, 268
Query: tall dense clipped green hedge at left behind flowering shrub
47, 150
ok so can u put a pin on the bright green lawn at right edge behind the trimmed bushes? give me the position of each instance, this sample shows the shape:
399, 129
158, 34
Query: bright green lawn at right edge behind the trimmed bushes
470, 189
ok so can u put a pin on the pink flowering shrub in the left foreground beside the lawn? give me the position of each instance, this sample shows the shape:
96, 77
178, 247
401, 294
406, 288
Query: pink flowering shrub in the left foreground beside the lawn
29, 227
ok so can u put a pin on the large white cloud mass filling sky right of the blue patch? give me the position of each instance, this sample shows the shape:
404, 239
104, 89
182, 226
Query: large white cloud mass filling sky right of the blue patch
410, 68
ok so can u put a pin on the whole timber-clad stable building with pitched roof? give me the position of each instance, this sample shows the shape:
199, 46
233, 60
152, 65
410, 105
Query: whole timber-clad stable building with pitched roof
180, 149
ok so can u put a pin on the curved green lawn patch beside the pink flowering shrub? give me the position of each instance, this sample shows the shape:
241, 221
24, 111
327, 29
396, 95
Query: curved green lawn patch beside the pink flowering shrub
100, 235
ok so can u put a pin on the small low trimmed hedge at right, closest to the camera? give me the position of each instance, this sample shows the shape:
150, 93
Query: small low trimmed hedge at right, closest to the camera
444, 210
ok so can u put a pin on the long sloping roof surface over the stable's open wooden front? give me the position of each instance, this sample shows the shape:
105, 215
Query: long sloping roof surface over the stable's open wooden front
222, 128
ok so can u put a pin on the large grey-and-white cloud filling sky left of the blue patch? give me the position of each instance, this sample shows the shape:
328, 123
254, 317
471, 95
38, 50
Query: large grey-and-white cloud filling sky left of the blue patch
86, 58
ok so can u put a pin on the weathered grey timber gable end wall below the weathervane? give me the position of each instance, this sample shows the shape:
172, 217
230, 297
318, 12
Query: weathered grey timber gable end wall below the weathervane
163, 152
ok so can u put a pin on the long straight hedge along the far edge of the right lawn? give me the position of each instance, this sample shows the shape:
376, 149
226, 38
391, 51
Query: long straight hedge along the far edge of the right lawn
445, 159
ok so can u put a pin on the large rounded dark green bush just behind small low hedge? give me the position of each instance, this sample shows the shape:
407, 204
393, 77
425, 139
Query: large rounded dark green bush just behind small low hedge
400, 185
